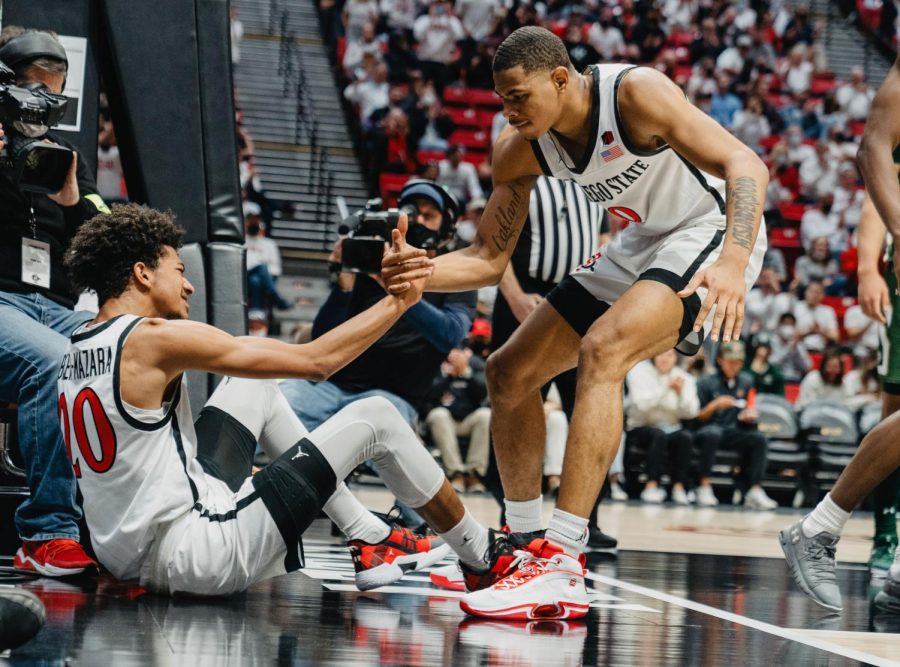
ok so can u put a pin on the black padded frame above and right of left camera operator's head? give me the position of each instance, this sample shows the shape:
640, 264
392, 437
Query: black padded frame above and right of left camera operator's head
76, 18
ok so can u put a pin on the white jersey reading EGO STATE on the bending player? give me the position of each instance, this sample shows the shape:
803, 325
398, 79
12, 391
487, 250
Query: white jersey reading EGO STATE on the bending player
658, 191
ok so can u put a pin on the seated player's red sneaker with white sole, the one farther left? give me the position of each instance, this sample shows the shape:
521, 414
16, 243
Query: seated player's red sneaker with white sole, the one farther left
400, 552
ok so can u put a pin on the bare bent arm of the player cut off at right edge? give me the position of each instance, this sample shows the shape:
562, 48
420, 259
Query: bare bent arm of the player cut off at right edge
875, 159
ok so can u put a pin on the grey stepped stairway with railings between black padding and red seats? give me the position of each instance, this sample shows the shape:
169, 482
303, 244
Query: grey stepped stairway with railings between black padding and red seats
292, 109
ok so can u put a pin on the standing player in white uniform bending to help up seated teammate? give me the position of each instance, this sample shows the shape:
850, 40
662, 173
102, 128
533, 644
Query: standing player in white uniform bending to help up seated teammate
694, 196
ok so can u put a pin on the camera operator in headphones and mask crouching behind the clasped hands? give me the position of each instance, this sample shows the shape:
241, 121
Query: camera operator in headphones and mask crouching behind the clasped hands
404, 363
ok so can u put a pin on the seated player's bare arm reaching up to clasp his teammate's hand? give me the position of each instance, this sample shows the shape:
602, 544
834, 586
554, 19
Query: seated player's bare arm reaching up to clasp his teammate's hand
174, 346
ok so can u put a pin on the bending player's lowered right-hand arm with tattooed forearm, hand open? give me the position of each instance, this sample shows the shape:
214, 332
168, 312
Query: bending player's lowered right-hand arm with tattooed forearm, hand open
657, 111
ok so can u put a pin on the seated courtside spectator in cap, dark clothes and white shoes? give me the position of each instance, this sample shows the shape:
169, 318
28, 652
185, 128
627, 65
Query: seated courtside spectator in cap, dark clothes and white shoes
729, 420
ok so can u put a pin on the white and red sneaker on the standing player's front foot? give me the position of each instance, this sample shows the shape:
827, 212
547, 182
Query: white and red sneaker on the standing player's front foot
545, 583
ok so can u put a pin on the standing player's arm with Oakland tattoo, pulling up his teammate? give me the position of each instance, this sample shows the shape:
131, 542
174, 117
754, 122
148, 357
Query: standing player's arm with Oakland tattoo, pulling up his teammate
483, 262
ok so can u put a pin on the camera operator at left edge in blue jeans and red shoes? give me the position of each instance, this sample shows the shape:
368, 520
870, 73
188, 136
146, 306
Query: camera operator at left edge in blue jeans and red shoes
36, 316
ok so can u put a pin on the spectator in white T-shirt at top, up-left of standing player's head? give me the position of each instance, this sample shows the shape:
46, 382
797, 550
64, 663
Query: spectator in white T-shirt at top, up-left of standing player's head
437, 33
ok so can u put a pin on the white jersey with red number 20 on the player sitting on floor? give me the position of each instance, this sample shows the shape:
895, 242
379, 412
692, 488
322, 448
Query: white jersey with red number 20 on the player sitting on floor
136, 468
